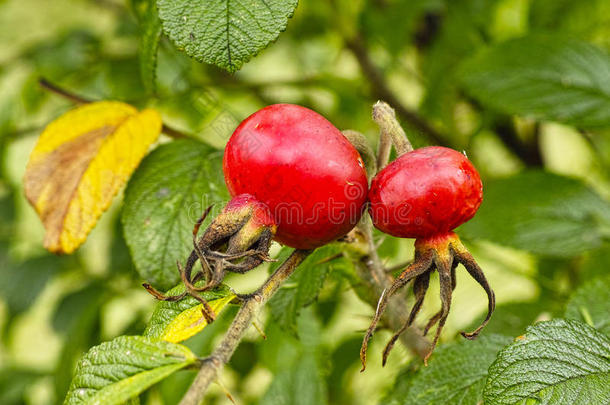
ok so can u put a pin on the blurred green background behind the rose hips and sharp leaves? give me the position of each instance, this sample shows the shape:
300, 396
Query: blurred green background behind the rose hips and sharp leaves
337, 57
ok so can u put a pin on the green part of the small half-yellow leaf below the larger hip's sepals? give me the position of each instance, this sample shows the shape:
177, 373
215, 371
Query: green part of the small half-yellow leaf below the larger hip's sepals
166, 312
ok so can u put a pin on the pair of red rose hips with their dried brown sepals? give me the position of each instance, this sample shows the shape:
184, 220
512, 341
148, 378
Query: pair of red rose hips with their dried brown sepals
295, 178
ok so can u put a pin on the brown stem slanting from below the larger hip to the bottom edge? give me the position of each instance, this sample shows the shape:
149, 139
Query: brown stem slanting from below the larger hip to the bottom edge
212, 365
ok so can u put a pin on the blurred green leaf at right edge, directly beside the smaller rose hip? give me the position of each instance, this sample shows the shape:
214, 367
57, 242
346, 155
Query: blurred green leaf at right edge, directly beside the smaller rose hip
541, 212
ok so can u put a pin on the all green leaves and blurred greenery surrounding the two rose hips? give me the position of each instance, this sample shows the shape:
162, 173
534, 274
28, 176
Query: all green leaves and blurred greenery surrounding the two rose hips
443, 61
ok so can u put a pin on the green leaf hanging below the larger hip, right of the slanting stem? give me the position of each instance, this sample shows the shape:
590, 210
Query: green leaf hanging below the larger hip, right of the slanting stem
304, 286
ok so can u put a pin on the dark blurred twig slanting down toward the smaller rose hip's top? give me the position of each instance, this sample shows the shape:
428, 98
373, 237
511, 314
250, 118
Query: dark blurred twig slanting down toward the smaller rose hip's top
382, 91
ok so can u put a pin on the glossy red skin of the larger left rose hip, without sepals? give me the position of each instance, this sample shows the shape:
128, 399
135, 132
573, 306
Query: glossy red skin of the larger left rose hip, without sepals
302, 167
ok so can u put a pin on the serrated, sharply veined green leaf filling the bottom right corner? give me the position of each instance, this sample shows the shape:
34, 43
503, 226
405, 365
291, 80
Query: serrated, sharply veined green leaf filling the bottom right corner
555, 362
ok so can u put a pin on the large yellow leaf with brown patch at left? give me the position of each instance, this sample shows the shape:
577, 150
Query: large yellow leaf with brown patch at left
81, 160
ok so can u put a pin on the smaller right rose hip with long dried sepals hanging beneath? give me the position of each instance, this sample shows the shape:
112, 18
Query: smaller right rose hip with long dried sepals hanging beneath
425, 194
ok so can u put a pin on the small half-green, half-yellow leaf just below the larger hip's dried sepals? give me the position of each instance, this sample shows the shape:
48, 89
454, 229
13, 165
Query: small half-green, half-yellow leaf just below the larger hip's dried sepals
179, 320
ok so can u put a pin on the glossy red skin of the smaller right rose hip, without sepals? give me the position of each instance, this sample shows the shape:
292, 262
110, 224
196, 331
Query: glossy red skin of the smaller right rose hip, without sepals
424, 193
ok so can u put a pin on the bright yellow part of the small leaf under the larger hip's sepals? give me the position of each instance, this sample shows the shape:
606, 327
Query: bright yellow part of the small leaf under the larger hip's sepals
191, 321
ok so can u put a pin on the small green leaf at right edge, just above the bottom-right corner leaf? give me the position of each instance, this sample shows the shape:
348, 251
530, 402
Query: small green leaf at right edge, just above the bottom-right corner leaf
591, 304
